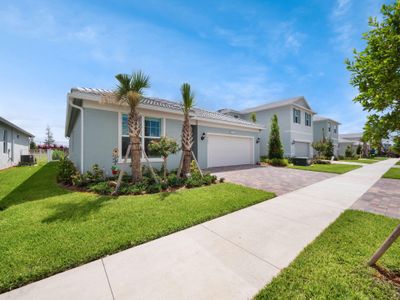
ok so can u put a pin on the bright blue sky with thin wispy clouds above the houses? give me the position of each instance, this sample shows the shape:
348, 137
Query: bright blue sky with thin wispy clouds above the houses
234, 53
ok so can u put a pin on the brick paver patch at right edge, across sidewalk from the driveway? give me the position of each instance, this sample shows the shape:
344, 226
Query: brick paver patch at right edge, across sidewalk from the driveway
382, 198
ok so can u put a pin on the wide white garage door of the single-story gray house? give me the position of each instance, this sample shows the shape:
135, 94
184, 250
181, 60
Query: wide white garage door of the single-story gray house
224, 150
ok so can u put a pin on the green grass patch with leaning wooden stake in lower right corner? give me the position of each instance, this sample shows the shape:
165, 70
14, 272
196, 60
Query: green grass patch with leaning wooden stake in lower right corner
334, 265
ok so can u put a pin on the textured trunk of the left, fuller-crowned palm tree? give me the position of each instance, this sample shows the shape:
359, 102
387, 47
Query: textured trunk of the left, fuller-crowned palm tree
135, 127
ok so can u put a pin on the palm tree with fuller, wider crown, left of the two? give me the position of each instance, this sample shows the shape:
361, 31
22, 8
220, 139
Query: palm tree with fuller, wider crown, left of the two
130, 90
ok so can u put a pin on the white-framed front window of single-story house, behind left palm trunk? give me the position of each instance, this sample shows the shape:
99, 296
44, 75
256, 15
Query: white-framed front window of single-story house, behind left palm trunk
151, 129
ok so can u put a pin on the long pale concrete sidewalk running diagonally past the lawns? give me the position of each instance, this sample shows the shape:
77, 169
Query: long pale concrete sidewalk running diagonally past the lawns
231, 257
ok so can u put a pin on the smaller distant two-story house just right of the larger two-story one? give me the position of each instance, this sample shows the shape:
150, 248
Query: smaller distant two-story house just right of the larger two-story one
329, 128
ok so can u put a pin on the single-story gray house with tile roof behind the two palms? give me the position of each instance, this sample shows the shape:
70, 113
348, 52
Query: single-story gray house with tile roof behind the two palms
95, 128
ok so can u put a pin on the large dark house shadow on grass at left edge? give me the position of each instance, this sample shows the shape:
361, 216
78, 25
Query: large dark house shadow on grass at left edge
42, 184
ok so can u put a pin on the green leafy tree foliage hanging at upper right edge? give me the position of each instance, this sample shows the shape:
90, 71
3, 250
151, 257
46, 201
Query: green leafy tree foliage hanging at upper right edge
375, 72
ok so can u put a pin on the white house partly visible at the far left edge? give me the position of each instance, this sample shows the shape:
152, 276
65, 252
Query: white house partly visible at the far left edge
14, 142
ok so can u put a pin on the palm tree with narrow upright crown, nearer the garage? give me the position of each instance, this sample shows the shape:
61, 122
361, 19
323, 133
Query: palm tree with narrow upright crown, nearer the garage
187, 138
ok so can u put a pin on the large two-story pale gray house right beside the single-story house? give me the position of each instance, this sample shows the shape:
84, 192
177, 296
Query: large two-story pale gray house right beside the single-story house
295, 118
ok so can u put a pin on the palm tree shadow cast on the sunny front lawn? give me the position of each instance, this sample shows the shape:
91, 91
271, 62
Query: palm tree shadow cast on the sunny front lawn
73, 211
